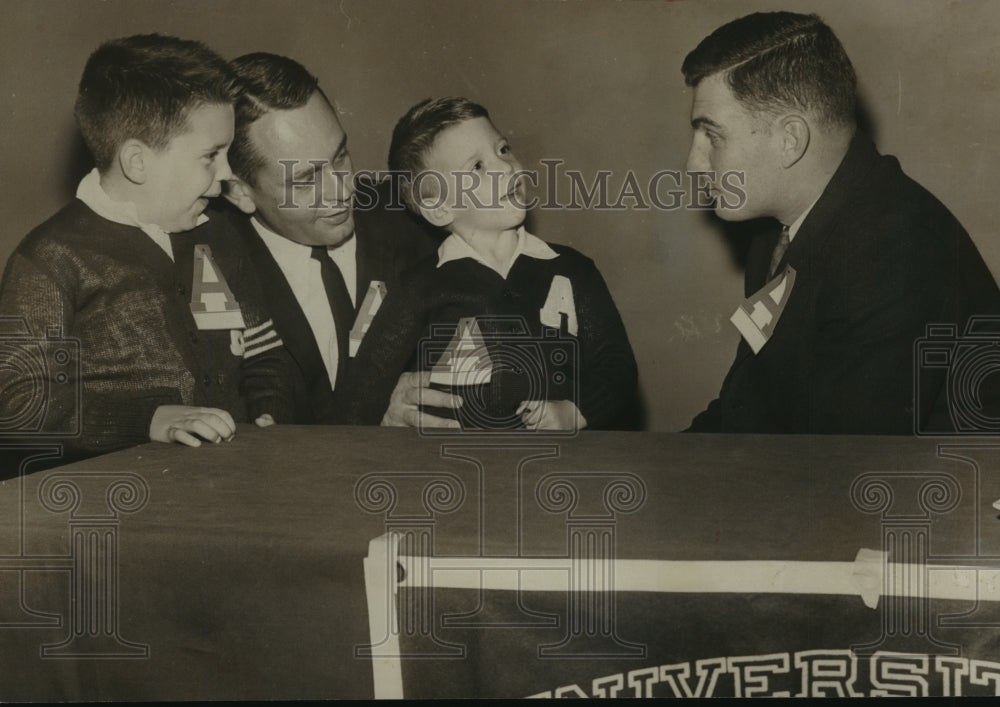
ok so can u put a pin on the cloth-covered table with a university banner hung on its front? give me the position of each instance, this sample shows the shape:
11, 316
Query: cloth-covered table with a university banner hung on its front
337, 562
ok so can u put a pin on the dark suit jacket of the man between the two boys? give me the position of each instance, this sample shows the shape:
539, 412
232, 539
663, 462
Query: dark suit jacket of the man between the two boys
389, 240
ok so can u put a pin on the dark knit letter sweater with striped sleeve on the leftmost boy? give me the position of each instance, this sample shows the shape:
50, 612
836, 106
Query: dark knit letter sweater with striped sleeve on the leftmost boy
100, 333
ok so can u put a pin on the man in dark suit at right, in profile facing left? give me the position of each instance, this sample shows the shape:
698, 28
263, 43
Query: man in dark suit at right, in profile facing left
861, 259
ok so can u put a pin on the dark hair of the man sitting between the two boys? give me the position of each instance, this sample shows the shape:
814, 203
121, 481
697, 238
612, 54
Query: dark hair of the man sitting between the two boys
268, 82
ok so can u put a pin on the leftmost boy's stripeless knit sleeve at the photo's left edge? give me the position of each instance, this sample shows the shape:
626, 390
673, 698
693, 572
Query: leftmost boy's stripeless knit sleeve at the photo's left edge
86, 420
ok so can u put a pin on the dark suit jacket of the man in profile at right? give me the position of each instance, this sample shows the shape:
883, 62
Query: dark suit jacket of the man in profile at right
877, 259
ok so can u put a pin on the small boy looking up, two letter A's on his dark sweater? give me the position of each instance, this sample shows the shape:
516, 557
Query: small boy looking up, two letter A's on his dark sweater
525, 331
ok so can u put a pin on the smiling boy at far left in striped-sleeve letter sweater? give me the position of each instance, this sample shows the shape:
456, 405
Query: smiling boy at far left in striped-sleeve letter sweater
140, 328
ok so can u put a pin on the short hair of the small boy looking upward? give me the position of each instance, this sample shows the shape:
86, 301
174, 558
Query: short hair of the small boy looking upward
415, 133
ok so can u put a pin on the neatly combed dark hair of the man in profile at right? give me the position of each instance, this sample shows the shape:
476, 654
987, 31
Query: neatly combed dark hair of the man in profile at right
779, 61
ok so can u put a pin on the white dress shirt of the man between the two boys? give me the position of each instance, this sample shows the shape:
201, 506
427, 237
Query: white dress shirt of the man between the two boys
304, 277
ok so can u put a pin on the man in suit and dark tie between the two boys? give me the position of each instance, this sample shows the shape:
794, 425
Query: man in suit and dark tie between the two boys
319, 241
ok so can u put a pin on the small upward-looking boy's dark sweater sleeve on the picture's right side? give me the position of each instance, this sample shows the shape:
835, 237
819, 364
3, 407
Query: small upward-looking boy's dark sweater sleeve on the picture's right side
608, 372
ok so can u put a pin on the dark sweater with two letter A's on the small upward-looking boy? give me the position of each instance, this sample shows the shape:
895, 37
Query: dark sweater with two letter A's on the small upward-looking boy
416, 322
